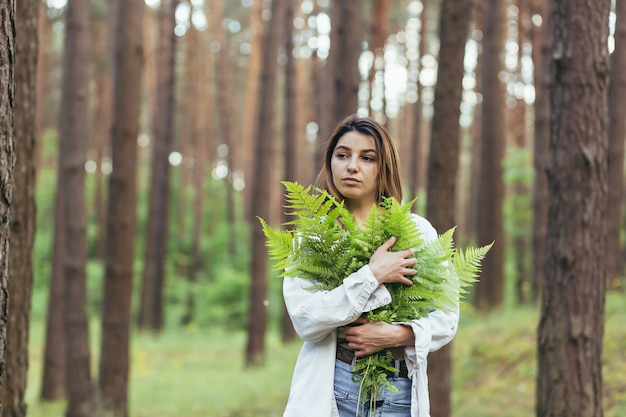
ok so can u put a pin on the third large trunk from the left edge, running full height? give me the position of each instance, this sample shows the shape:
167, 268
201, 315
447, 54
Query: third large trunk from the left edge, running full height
73, 134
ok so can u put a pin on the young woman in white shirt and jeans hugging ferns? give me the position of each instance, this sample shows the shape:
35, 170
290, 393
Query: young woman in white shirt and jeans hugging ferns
361, 166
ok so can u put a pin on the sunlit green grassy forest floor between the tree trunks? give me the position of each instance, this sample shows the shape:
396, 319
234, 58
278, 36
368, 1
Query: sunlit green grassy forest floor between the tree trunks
200, 373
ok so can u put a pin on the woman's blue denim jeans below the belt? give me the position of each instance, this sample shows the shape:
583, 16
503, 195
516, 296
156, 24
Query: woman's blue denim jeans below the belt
388, 403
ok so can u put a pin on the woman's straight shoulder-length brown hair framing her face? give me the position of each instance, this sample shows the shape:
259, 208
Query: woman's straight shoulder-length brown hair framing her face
389, 179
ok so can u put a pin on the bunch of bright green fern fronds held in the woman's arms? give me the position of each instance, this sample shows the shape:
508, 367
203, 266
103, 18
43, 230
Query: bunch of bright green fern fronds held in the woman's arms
324, 245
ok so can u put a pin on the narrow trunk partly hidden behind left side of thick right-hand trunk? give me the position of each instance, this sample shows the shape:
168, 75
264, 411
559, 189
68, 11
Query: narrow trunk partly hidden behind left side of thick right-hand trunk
541, 50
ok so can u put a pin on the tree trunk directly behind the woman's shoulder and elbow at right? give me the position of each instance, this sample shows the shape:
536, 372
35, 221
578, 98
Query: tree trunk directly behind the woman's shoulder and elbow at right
443, 163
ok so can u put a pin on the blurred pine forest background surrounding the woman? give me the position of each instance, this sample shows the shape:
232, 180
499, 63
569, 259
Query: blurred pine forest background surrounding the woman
141, 140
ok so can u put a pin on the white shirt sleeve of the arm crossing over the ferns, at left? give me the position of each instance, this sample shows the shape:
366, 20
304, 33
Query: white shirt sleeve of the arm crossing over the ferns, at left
316, 313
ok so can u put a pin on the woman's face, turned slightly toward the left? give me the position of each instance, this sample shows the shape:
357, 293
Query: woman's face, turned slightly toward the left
354, 167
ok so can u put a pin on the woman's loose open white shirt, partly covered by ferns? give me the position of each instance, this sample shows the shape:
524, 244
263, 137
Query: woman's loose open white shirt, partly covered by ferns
316, 316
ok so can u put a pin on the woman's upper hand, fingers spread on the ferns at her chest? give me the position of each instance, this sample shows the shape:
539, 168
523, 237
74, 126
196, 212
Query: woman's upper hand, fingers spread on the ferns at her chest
392, 266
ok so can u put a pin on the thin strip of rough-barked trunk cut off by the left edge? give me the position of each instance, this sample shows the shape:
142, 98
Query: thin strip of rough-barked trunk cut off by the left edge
7, 158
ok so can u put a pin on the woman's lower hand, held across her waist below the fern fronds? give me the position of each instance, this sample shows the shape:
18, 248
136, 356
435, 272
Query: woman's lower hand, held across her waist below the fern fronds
367, 337
